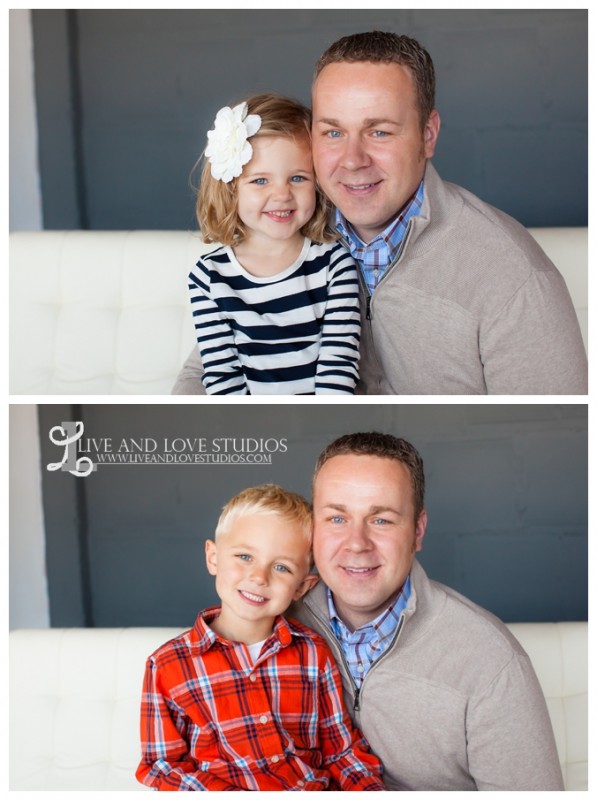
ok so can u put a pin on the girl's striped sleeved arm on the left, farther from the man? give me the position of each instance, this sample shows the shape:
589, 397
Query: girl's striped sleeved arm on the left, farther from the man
223, 373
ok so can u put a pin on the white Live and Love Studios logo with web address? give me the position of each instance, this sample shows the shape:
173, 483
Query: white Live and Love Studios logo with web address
83, 454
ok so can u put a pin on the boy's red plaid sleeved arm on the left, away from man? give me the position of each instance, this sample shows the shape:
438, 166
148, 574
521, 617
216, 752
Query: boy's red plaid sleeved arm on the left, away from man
166, 763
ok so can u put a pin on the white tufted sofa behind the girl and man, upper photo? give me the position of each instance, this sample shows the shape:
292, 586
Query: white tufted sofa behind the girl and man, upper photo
98, 312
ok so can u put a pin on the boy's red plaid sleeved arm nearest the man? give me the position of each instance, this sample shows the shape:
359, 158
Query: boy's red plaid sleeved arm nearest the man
346, 753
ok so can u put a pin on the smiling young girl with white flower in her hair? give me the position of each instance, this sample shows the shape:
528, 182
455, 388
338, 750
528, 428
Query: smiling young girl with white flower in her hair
275, 305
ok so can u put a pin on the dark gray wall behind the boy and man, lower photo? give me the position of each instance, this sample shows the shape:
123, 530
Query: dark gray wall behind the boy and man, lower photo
506, 497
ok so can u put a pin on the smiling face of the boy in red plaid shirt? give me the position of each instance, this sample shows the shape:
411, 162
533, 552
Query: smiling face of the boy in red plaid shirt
261, 565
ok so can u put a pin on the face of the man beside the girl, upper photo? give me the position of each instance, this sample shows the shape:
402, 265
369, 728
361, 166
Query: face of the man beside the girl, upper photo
368, 146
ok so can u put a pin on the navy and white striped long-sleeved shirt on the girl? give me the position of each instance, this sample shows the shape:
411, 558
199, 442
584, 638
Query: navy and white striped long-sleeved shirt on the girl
296, 332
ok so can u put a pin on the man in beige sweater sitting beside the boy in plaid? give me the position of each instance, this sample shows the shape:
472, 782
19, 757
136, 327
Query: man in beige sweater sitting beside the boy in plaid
443, 692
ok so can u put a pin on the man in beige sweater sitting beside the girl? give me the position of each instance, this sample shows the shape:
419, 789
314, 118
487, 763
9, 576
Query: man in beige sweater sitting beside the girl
456, 297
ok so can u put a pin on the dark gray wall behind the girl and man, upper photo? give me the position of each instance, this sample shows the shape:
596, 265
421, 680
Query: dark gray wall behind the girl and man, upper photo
125, 99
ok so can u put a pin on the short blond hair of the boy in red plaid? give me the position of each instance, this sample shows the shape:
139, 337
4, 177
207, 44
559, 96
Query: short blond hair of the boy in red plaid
267, 499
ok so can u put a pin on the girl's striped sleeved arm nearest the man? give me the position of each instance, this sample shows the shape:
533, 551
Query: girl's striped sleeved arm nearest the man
338, 362
